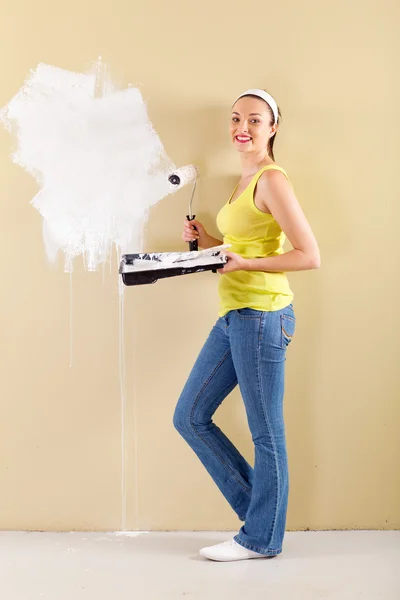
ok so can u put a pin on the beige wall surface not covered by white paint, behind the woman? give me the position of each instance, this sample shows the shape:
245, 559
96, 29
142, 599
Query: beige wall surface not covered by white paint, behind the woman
331, 66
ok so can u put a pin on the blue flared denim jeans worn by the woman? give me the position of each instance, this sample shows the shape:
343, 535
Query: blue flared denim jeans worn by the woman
245, 347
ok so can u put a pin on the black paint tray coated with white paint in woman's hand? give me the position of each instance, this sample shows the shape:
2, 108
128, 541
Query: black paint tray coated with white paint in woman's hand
141, 269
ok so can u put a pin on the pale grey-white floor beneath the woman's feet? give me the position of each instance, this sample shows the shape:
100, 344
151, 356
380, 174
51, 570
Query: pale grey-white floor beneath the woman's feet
361, 565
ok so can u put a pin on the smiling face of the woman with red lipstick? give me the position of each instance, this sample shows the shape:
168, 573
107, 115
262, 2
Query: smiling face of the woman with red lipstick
251, 125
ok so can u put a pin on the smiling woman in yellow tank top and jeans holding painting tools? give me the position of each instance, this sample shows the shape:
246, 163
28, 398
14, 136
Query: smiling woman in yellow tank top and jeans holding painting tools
247, 345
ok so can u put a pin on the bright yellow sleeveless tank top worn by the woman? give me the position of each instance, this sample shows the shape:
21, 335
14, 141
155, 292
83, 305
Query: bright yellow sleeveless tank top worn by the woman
252, 234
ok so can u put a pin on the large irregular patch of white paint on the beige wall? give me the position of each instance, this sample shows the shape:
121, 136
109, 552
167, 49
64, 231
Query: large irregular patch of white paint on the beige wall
97, 158
